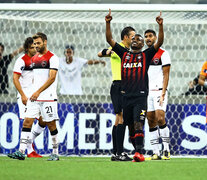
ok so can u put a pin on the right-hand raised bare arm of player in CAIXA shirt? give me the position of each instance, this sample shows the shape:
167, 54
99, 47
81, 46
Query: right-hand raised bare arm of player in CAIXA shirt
160, 40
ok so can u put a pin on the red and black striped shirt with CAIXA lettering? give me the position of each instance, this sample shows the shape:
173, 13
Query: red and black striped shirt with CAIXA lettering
134, 67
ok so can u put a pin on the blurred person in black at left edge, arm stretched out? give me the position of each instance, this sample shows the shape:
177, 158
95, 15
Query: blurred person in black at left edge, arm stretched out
4, 63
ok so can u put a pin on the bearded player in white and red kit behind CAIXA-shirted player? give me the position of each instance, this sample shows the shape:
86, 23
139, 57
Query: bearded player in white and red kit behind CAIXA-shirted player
157, 99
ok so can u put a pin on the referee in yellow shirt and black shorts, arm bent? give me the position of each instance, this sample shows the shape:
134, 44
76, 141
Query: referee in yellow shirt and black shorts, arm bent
116, 97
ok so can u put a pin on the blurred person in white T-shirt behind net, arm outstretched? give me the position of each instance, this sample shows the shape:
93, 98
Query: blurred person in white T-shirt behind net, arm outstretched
70, 71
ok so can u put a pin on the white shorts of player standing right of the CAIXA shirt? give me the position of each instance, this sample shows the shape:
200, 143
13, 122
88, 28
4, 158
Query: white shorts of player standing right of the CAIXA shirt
153, 102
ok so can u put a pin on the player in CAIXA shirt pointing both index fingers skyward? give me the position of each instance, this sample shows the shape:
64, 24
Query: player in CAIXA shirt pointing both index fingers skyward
134, 69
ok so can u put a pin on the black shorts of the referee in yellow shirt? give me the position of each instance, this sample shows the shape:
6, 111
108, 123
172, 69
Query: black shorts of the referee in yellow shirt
116, 96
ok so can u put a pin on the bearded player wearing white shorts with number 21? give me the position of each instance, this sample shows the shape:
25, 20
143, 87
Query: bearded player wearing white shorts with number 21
44, 100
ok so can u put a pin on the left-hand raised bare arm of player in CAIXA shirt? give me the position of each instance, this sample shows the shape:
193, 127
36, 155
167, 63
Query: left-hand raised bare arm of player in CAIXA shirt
109, 39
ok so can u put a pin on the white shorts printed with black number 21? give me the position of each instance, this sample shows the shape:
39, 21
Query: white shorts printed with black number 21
48, 110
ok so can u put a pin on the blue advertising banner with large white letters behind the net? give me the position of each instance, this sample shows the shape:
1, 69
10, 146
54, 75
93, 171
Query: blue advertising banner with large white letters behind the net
85, 129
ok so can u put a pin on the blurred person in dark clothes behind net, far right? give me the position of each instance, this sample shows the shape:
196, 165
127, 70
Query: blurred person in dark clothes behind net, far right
195, 88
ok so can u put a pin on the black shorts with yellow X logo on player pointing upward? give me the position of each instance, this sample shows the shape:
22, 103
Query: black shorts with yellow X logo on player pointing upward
134, 109
